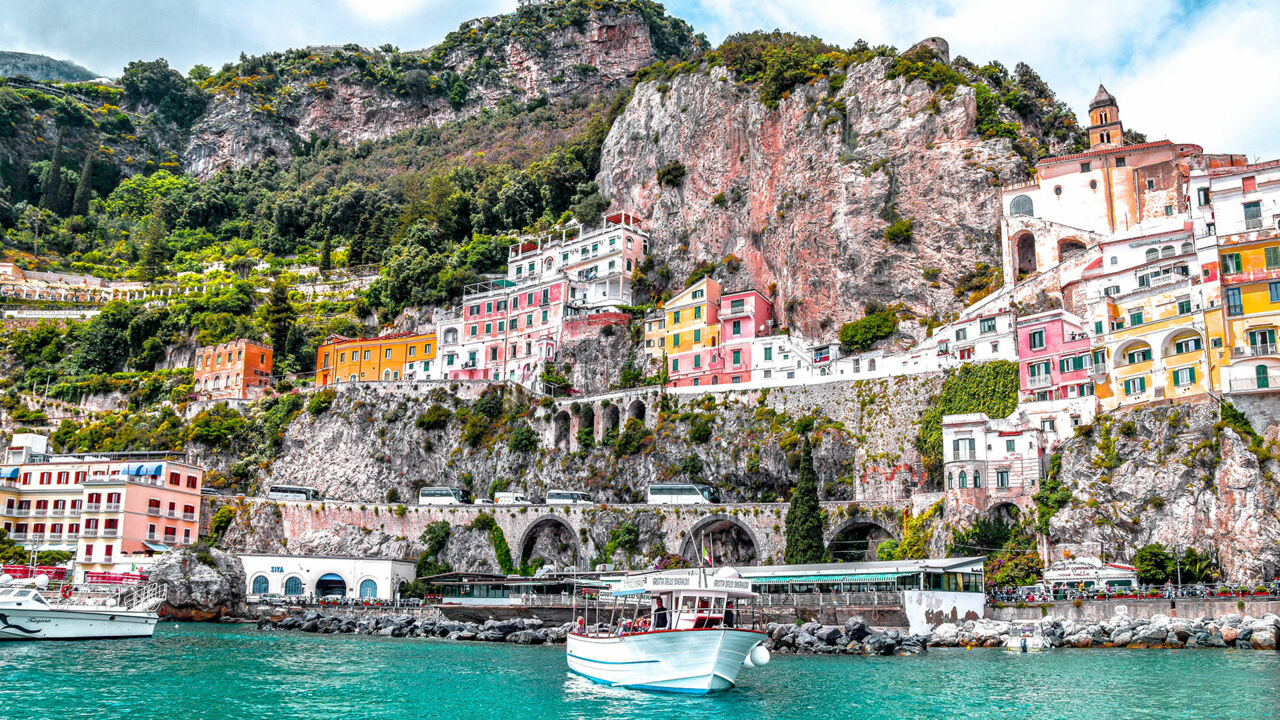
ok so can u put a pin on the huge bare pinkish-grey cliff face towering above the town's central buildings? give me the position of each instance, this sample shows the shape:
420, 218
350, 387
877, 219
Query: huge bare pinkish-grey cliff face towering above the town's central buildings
802, 193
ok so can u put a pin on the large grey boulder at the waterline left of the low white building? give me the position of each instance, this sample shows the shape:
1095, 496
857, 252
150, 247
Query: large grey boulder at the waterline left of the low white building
202, 585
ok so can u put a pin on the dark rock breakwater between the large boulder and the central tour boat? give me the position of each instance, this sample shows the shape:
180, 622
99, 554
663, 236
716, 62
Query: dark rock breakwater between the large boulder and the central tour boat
519, 631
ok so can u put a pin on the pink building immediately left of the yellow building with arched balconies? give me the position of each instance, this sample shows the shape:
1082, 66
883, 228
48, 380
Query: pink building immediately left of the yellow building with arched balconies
1055, 359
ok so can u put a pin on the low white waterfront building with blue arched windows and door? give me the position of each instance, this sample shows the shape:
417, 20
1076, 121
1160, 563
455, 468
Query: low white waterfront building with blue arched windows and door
305, 576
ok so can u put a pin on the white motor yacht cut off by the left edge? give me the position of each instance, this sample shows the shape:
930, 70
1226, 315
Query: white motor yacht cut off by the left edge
28, 616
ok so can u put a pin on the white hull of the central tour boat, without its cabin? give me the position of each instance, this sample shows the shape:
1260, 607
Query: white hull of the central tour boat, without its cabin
683, 662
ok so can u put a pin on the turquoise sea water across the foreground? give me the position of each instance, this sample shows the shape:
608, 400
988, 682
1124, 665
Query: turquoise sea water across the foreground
200, 672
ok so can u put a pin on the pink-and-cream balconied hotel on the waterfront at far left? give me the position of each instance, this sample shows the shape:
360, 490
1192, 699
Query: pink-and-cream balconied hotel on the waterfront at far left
116, 516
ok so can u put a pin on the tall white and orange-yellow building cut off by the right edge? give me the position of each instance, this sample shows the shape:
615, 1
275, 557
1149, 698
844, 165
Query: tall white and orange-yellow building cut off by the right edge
1238, 212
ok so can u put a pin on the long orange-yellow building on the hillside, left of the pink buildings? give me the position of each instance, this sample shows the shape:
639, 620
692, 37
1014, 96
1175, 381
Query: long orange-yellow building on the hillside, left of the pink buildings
399, 357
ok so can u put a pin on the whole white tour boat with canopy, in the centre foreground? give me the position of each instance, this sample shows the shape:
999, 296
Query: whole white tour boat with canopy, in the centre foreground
680, 631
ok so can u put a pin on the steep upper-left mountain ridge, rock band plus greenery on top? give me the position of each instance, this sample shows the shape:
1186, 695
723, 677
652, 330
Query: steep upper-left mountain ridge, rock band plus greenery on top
266, 107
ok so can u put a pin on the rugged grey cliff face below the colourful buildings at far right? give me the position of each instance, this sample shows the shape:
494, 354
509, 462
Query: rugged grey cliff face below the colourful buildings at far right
1171, 480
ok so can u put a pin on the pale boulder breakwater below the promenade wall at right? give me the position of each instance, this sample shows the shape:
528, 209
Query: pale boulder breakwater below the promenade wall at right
1241, 632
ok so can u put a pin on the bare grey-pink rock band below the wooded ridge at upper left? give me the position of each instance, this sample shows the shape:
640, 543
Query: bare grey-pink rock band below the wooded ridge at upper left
606, 49
